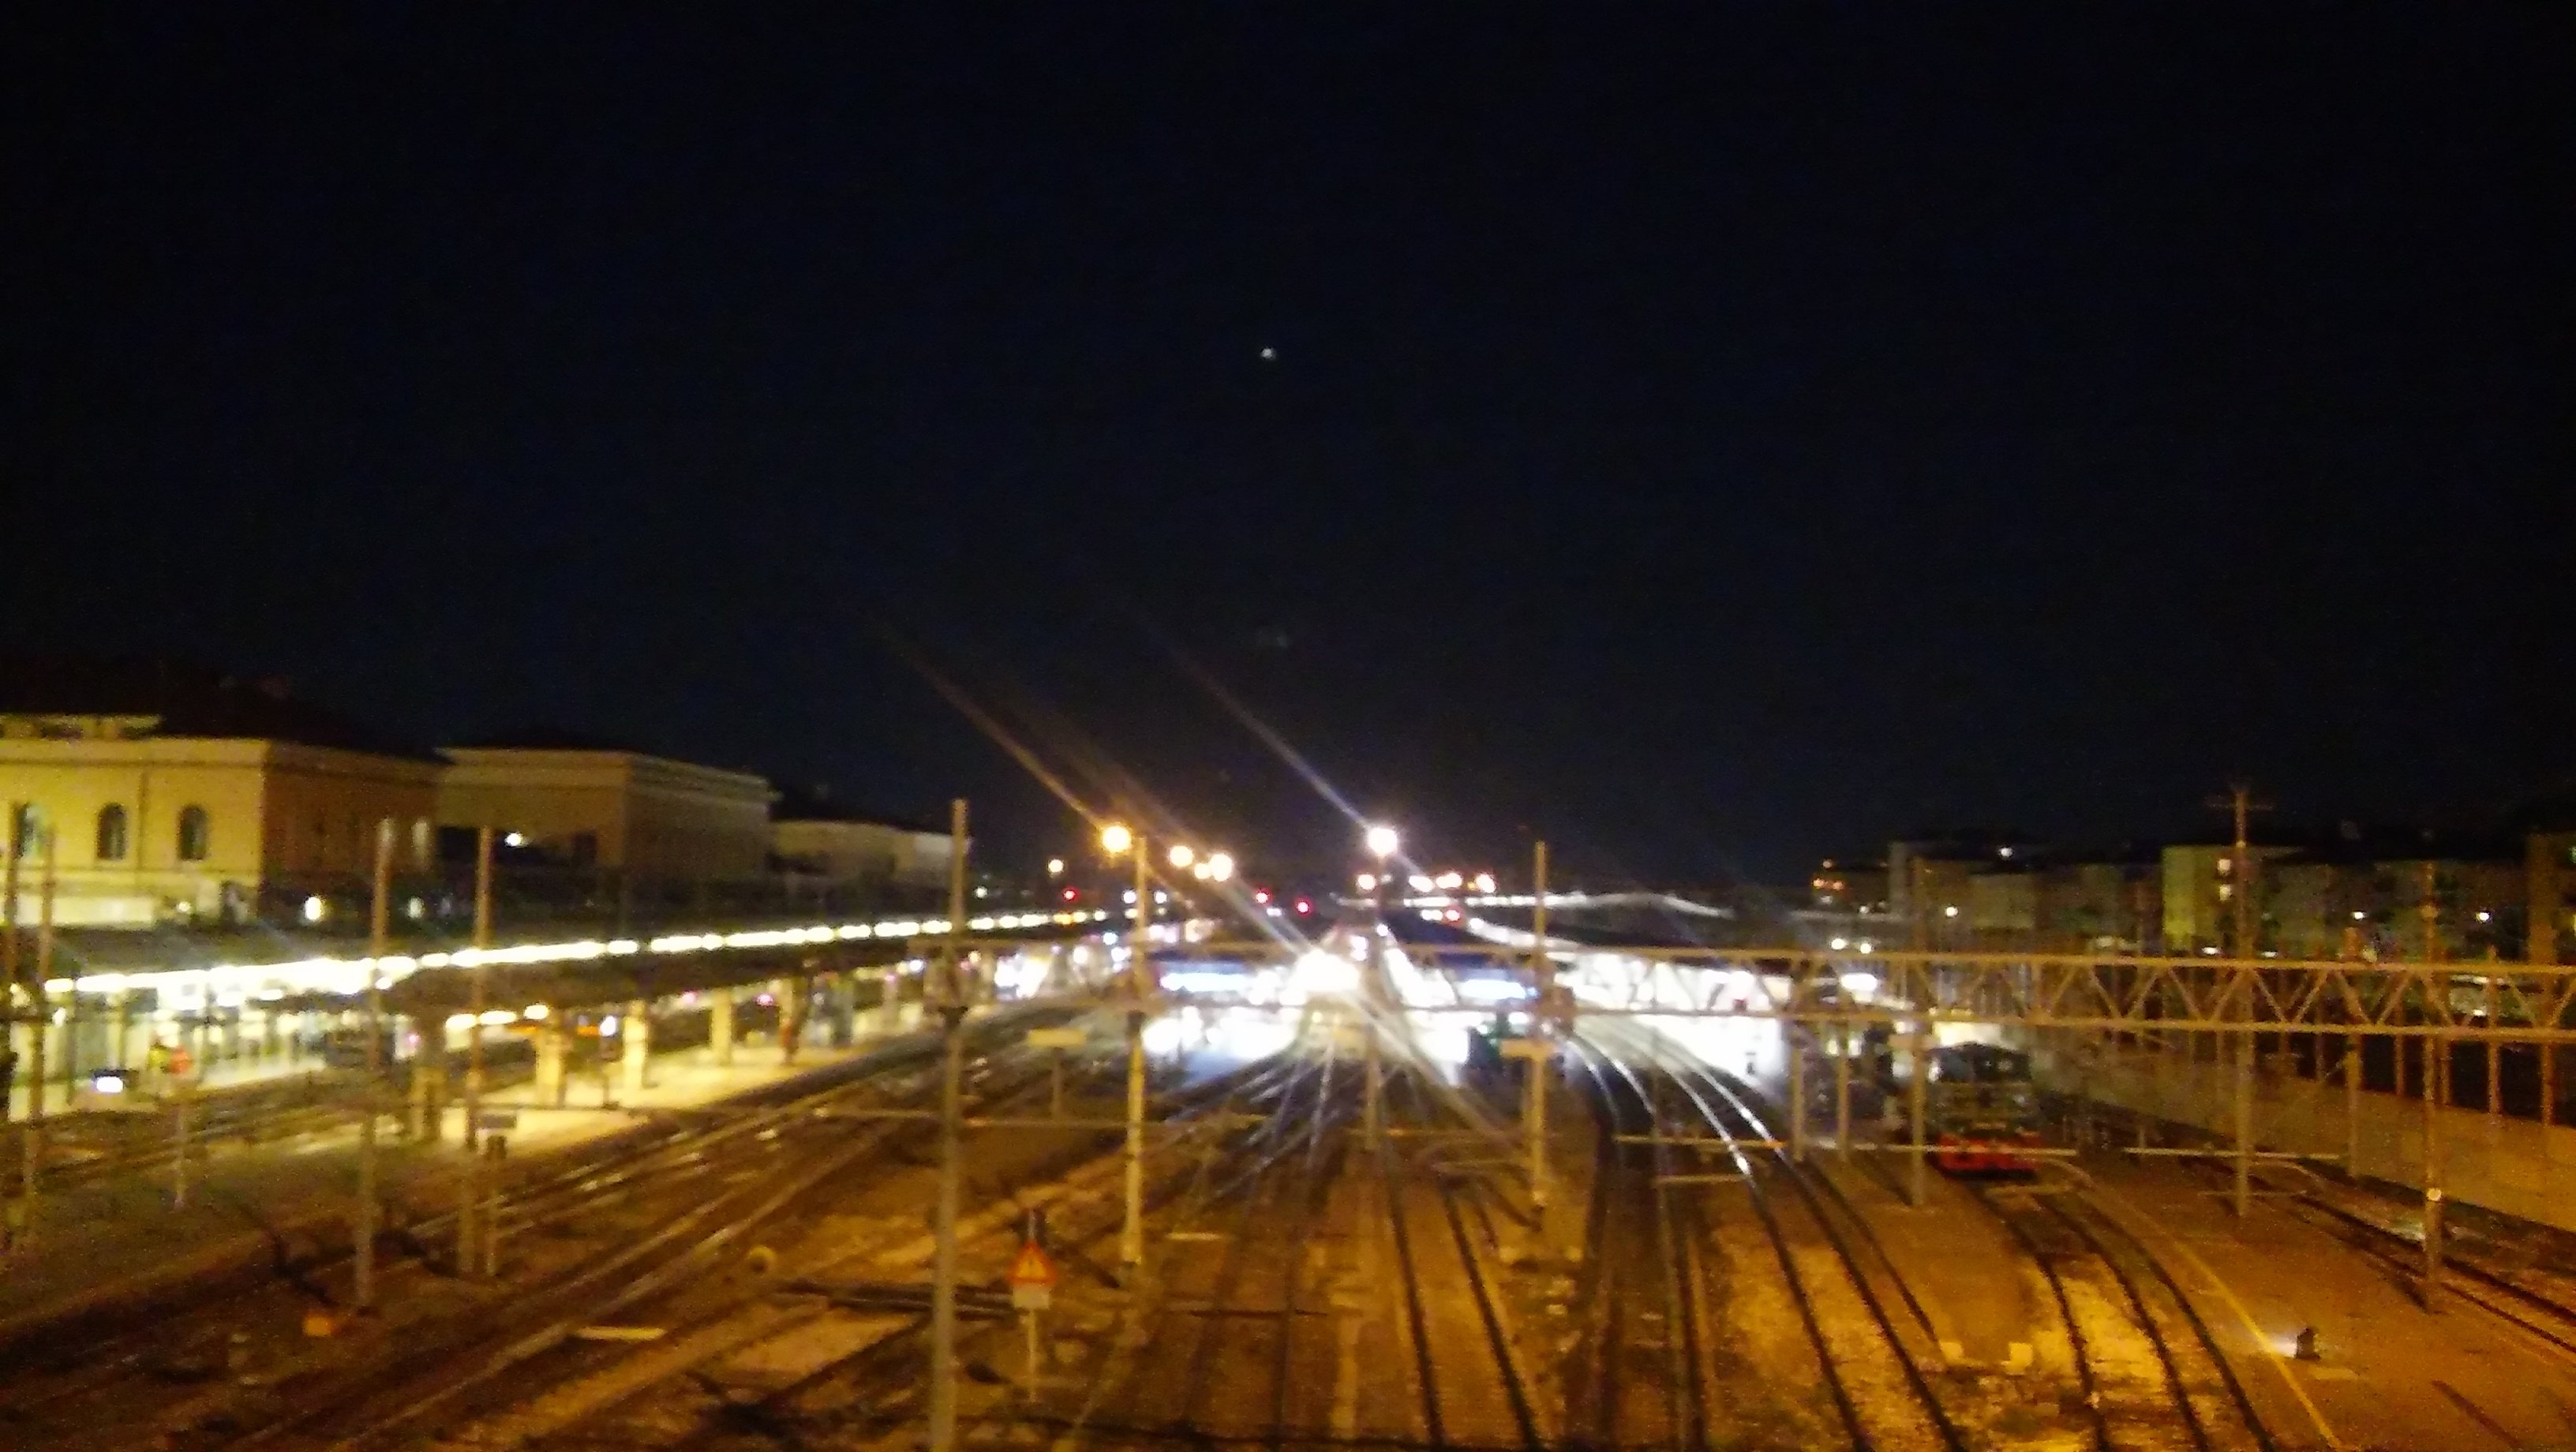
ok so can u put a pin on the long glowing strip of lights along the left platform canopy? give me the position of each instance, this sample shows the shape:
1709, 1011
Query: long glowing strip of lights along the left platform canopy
233, 985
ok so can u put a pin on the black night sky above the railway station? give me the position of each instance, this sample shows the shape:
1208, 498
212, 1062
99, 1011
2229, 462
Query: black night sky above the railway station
1709, 442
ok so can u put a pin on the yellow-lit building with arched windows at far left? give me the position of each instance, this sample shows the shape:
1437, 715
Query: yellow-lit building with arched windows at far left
205, 797
